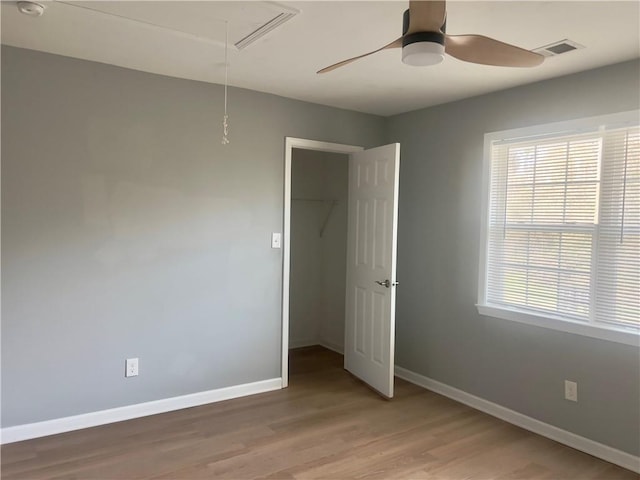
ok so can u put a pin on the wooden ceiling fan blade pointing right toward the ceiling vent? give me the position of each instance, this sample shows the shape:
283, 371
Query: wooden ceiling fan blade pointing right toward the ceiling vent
487, 51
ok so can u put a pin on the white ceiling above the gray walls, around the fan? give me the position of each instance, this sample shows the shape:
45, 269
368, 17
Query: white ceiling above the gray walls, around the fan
186, 39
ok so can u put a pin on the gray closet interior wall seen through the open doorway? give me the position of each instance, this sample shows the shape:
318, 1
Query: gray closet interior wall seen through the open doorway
318, 264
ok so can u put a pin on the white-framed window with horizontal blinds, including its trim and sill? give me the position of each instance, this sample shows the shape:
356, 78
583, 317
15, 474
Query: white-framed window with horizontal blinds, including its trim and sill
561, 239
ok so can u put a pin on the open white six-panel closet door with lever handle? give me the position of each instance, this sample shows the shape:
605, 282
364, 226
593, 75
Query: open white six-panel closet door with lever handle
371, 266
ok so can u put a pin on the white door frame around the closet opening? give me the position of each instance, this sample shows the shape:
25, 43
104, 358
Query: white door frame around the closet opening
290, 144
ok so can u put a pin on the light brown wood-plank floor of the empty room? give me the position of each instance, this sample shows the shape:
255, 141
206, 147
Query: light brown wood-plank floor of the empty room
325, 425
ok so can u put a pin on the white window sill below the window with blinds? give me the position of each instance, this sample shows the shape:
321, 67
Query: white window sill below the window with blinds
627, 336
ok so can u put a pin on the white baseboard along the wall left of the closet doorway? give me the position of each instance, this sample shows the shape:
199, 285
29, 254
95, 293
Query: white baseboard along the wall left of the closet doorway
93, 419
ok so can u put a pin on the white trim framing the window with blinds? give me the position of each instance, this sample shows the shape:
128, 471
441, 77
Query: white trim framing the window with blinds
614, 333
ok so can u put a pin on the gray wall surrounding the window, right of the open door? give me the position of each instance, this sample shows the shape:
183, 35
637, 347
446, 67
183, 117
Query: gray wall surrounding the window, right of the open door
439, 332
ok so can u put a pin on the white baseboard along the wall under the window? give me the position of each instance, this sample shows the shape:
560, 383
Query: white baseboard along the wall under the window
583, 444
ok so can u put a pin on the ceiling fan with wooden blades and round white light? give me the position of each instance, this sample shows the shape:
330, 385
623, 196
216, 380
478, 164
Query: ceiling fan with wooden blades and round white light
424, 41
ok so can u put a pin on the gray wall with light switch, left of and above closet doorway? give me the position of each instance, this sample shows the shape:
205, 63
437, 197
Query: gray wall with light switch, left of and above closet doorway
128, 230
